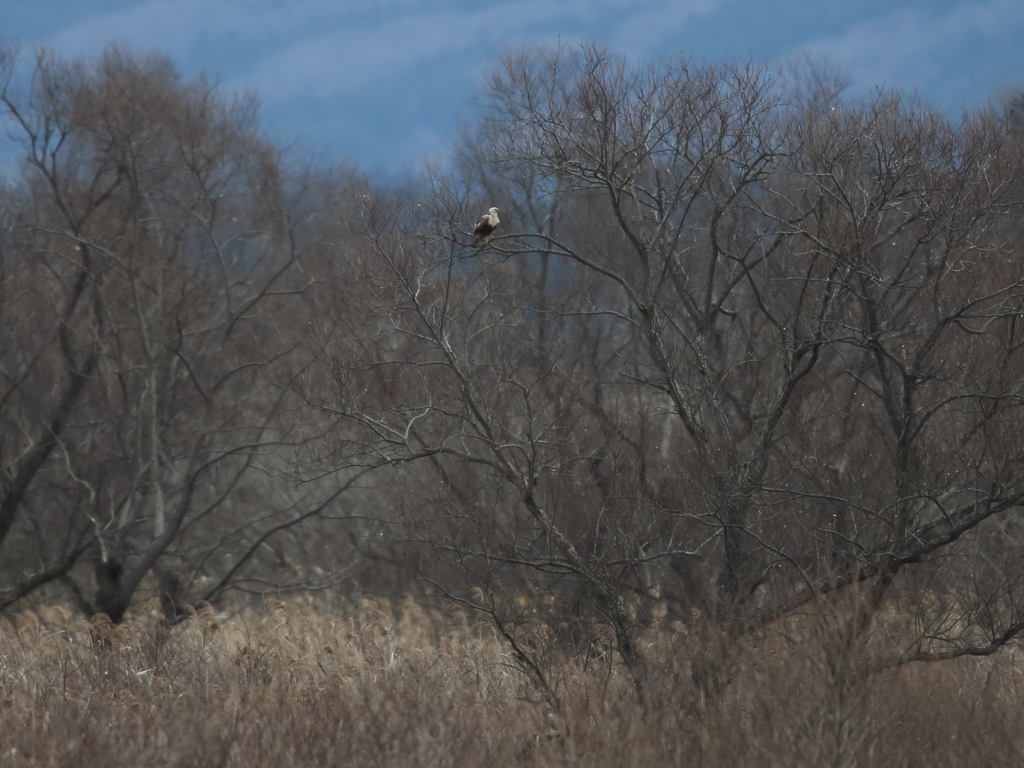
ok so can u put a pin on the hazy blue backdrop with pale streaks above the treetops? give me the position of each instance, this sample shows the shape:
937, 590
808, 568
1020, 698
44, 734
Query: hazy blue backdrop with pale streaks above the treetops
388, 82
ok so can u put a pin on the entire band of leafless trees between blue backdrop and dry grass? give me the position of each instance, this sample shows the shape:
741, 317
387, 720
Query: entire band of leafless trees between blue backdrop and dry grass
741, 351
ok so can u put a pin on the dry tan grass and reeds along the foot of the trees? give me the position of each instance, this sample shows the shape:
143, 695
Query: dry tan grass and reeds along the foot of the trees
393, 685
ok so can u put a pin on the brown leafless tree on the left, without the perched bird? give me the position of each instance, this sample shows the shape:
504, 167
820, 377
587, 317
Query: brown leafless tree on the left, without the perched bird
162, 252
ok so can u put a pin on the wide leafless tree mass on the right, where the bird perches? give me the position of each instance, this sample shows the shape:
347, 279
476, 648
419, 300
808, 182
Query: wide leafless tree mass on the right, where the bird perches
734, 353
